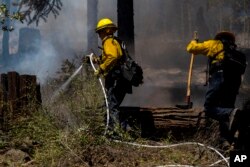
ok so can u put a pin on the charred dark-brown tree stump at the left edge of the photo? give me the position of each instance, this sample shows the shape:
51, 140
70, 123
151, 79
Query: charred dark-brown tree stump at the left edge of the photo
18, 93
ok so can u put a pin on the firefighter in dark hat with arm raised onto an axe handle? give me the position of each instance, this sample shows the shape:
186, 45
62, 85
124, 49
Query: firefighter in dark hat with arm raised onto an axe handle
224, 83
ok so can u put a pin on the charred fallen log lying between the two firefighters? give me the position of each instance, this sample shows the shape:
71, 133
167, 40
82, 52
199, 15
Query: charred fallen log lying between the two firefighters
160, 122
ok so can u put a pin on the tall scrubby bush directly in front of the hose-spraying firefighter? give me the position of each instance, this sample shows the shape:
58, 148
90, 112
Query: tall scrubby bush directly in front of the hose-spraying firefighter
83, 103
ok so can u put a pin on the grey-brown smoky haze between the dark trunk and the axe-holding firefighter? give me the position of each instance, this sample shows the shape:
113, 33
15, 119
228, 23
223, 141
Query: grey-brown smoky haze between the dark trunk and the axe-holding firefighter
162, 31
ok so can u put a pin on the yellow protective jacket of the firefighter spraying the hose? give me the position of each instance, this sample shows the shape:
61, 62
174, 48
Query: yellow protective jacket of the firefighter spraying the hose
111, 53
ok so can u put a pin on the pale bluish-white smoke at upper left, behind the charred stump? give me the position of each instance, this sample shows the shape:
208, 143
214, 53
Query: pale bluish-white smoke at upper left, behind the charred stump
62, 37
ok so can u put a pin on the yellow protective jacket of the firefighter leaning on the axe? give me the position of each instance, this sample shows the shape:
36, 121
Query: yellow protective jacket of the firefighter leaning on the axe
211, 48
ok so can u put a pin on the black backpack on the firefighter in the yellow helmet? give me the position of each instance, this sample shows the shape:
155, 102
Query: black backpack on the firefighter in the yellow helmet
130, 69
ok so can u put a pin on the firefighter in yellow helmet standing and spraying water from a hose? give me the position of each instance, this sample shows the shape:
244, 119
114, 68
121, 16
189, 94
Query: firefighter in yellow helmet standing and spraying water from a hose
110, 68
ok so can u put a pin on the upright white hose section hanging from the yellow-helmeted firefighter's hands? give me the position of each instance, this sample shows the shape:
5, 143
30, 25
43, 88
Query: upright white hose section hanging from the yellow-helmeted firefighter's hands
104, 92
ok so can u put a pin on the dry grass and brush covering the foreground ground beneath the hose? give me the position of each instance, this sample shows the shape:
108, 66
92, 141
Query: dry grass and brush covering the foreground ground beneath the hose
69, 132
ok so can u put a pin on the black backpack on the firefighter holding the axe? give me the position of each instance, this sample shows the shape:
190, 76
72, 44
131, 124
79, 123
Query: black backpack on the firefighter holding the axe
234, 61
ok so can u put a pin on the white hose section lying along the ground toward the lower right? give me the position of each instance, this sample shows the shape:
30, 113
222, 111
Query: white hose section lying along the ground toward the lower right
174, 145
